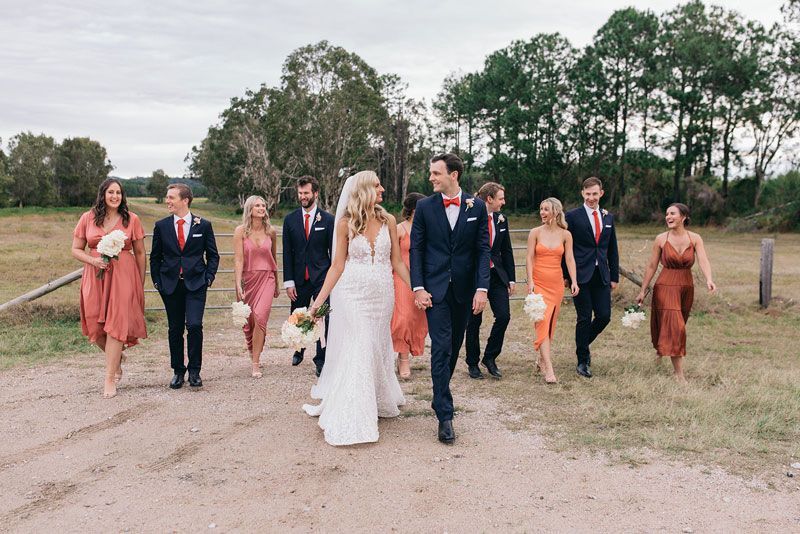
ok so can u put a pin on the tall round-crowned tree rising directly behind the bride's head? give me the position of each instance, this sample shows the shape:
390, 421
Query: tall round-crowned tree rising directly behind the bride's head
327, 117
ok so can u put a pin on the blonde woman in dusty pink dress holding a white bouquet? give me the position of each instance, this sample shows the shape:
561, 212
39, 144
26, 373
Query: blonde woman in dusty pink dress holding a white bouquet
255, 270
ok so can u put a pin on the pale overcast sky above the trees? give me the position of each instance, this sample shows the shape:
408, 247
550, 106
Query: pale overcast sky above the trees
146, 78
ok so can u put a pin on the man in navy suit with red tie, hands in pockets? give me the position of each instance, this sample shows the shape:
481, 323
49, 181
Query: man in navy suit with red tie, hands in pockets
183, 264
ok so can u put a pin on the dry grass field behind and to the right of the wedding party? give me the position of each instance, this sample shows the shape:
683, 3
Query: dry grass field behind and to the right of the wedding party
740, 409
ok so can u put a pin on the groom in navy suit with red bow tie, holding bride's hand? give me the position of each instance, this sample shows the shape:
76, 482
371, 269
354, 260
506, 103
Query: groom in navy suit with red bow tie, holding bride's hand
449, 273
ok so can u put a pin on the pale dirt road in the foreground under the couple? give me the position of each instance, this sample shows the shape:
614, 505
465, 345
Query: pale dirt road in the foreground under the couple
240, 455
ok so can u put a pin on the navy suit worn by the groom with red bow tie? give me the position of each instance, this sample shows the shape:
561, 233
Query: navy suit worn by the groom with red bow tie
450, 264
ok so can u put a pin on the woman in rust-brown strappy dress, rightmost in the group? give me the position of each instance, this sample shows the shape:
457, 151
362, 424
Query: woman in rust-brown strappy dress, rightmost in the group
673, 292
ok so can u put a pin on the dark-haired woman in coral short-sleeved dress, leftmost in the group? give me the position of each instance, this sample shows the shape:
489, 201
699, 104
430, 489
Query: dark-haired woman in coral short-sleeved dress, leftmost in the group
112, 308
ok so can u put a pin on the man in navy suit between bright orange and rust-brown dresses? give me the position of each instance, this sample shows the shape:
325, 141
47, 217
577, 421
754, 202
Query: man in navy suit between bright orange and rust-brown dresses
594, 244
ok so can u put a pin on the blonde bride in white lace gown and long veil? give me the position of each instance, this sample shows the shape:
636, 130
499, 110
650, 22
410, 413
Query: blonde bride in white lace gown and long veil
358, 383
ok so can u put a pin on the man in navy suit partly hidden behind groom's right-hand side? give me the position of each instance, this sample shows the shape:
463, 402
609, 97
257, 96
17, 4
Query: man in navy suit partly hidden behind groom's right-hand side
501, 285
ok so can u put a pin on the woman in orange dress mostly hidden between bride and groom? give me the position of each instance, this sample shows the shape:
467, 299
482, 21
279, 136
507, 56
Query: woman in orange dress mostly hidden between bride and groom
409, 323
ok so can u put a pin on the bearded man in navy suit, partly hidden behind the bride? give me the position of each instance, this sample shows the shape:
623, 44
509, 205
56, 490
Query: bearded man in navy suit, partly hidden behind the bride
307, 242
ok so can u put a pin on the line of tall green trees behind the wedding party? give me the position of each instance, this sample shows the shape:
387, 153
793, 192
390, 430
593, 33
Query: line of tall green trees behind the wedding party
662, 107
